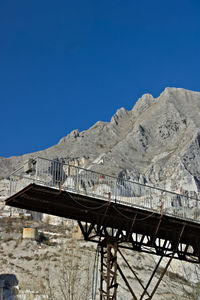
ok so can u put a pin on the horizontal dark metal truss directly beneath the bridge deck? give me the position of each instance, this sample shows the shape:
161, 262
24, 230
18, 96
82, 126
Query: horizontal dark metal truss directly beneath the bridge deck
151, 244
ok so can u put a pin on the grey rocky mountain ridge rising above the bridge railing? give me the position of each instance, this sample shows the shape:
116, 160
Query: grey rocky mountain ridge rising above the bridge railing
158, 140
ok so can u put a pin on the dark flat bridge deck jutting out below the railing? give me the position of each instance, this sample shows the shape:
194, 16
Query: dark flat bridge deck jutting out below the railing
101, 213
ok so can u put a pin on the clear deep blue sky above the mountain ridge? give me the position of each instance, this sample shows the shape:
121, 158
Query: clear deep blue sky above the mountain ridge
66, 64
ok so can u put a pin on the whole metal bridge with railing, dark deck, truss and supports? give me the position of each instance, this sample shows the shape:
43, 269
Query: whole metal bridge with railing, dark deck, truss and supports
115, 213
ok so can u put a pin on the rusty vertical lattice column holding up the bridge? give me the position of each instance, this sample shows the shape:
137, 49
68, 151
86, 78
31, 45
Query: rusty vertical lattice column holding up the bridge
108, 283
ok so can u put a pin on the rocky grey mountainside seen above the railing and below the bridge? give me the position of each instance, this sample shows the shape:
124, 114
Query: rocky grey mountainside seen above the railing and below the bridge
157, 142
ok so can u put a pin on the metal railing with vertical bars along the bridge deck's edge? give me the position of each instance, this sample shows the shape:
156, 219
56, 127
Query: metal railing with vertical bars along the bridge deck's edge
54, 174
